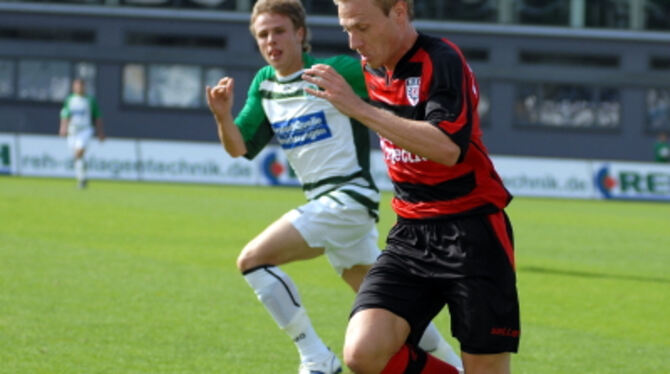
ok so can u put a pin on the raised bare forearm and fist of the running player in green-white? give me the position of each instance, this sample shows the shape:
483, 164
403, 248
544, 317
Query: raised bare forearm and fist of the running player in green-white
220, 102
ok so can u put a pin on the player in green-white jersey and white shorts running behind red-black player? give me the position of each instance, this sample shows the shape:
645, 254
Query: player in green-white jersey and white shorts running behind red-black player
330, 156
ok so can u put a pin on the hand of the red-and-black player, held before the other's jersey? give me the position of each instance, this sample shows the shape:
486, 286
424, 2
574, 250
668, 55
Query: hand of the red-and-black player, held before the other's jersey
334, 88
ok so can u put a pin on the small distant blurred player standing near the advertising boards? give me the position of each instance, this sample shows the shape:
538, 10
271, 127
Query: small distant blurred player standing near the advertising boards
80, 112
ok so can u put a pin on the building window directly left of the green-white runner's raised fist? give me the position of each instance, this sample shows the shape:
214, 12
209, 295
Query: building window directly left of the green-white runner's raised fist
168, 85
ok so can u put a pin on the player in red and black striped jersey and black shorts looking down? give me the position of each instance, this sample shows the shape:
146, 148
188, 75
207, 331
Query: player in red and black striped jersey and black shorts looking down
452, 244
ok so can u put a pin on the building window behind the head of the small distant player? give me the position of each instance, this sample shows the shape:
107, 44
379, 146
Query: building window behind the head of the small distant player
50, 80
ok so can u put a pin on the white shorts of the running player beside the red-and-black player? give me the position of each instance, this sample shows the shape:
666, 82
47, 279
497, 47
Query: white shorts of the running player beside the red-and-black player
345, 229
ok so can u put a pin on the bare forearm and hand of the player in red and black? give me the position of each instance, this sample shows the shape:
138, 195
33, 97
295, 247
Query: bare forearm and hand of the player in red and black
418, 137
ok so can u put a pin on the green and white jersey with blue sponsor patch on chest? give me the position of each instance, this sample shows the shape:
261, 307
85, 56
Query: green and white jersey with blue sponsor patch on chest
327, 150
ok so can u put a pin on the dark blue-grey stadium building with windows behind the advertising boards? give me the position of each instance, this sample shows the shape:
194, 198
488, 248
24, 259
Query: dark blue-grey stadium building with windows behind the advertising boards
551, 73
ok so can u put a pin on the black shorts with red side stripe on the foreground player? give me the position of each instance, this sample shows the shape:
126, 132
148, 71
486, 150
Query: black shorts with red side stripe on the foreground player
466, 263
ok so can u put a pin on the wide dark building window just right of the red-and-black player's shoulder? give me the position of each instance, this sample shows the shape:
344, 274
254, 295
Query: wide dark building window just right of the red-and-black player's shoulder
568, 106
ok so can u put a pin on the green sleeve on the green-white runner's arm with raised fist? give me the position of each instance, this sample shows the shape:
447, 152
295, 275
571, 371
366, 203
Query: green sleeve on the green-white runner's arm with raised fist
251, 121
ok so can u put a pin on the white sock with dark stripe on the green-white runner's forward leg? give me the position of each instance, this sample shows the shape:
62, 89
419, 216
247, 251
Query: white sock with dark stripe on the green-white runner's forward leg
280, 297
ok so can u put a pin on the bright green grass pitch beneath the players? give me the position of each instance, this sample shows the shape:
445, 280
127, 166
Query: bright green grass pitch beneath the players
140, 278
